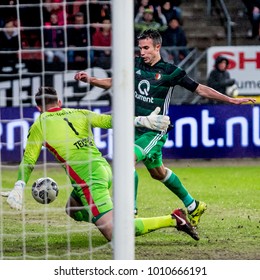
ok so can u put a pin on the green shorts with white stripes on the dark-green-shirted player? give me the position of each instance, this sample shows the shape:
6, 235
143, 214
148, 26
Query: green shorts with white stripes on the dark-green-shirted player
148, 148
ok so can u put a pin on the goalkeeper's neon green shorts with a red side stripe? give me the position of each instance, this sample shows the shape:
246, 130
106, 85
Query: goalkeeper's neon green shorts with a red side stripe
95, 196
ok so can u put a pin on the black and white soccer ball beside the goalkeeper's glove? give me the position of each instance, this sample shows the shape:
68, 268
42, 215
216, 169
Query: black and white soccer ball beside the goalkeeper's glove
45, 190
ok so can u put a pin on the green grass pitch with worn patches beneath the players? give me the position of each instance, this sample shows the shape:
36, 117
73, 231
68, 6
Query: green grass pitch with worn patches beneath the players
229, 229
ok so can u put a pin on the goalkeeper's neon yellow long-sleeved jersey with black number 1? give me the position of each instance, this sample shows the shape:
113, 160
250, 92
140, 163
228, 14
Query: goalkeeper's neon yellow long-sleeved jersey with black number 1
67, 134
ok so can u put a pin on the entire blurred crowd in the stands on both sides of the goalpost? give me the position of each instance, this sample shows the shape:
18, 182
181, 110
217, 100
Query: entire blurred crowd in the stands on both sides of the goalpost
62, 35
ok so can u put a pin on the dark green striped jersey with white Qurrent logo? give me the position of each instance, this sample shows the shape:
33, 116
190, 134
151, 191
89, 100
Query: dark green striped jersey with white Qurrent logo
154, 86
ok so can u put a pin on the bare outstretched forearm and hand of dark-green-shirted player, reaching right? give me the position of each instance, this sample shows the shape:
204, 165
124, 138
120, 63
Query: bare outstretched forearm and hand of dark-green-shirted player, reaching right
210, 93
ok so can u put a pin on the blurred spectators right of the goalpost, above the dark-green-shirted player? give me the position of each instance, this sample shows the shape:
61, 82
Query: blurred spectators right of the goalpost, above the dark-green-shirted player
166, 17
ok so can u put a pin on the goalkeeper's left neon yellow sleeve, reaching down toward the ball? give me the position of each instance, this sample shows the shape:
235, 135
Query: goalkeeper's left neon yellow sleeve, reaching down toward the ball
31, 153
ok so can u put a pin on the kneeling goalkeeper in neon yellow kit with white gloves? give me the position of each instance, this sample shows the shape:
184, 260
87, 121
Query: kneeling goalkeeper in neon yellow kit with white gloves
67, 134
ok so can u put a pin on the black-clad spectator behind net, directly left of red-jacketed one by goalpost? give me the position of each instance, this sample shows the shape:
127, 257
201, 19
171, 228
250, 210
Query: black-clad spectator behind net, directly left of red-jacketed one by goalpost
77, 37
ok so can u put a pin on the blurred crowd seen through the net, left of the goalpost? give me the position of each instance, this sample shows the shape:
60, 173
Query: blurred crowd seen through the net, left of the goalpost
77, 25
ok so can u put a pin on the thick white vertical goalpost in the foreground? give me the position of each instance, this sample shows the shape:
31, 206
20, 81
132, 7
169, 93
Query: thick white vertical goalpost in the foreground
123, 88
